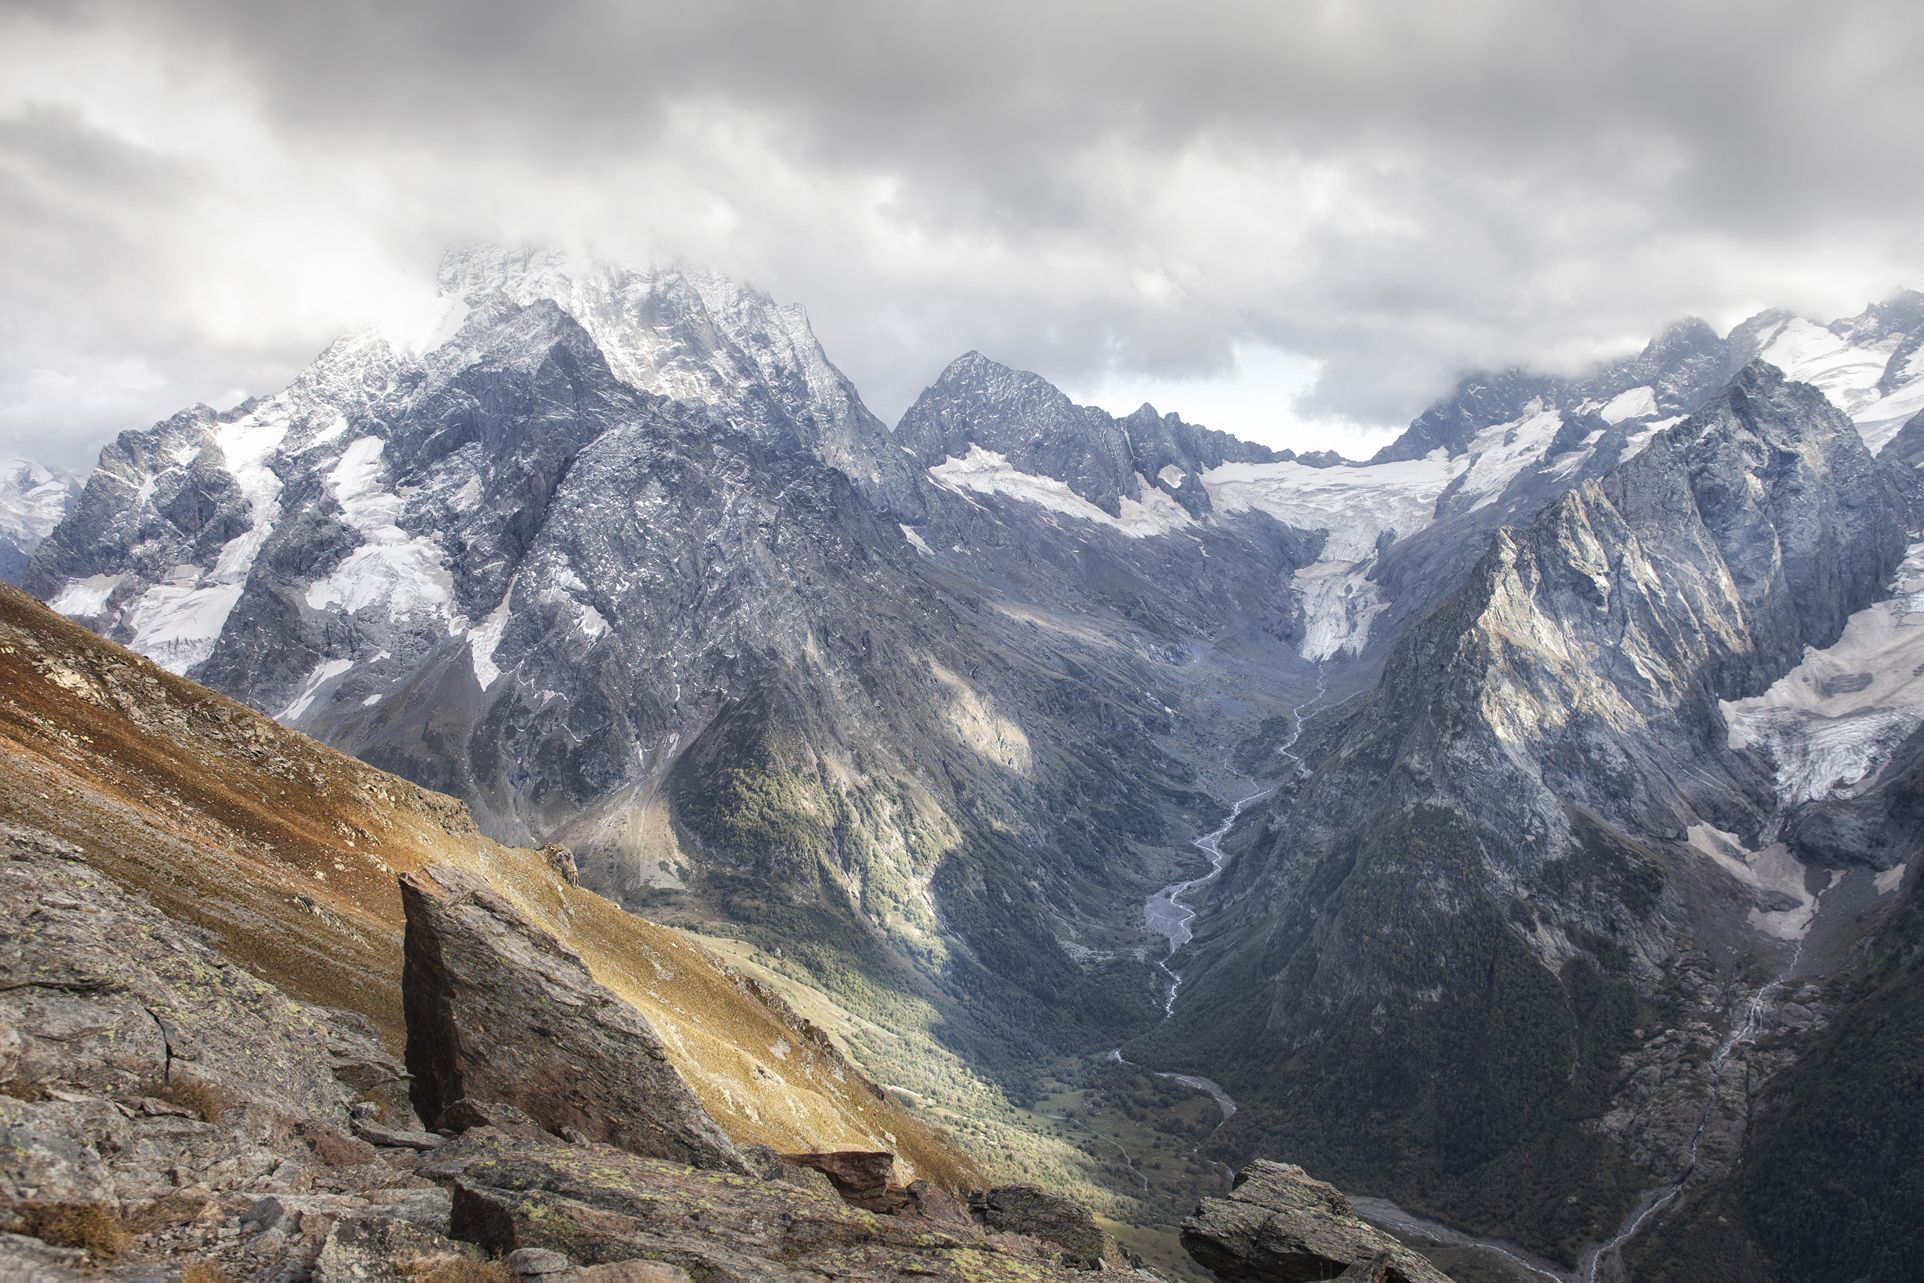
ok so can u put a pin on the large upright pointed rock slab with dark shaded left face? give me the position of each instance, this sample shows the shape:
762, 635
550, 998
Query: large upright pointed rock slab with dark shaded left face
501, 1011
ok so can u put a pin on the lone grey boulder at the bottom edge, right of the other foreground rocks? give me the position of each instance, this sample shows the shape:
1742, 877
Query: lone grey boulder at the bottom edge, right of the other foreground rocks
1284, 1226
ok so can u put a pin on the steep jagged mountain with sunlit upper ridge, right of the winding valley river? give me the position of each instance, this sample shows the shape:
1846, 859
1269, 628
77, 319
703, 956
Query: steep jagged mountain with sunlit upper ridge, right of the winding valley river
1527, 801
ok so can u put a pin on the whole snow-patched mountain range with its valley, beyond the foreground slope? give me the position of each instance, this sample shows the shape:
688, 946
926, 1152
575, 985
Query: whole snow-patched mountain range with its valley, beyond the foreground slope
1577, 730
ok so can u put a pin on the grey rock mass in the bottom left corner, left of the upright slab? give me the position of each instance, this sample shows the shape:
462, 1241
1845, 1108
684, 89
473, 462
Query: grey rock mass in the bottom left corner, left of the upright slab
161, 1103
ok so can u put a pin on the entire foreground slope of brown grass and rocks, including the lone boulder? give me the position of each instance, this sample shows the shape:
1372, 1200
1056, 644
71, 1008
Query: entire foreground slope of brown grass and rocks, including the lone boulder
172, 1113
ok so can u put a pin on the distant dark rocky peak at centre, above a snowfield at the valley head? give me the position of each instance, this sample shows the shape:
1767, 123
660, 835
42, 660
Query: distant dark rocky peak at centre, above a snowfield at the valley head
982, 407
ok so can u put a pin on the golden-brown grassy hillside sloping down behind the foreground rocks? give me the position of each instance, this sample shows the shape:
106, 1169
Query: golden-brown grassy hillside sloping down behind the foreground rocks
288, 853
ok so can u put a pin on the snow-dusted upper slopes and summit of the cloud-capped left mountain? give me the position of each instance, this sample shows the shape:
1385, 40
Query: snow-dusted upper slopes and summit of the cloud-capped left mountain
357, 476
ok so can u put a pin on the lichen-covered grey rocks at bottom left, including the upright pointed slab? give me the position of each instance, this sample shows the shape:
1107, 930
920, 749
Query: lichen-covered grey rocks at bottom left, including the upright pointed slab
161, 1107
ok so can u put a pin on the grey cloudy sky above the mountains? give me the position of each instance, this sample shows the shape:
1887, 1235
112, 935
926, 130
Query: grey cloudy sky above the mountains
1298, 222
